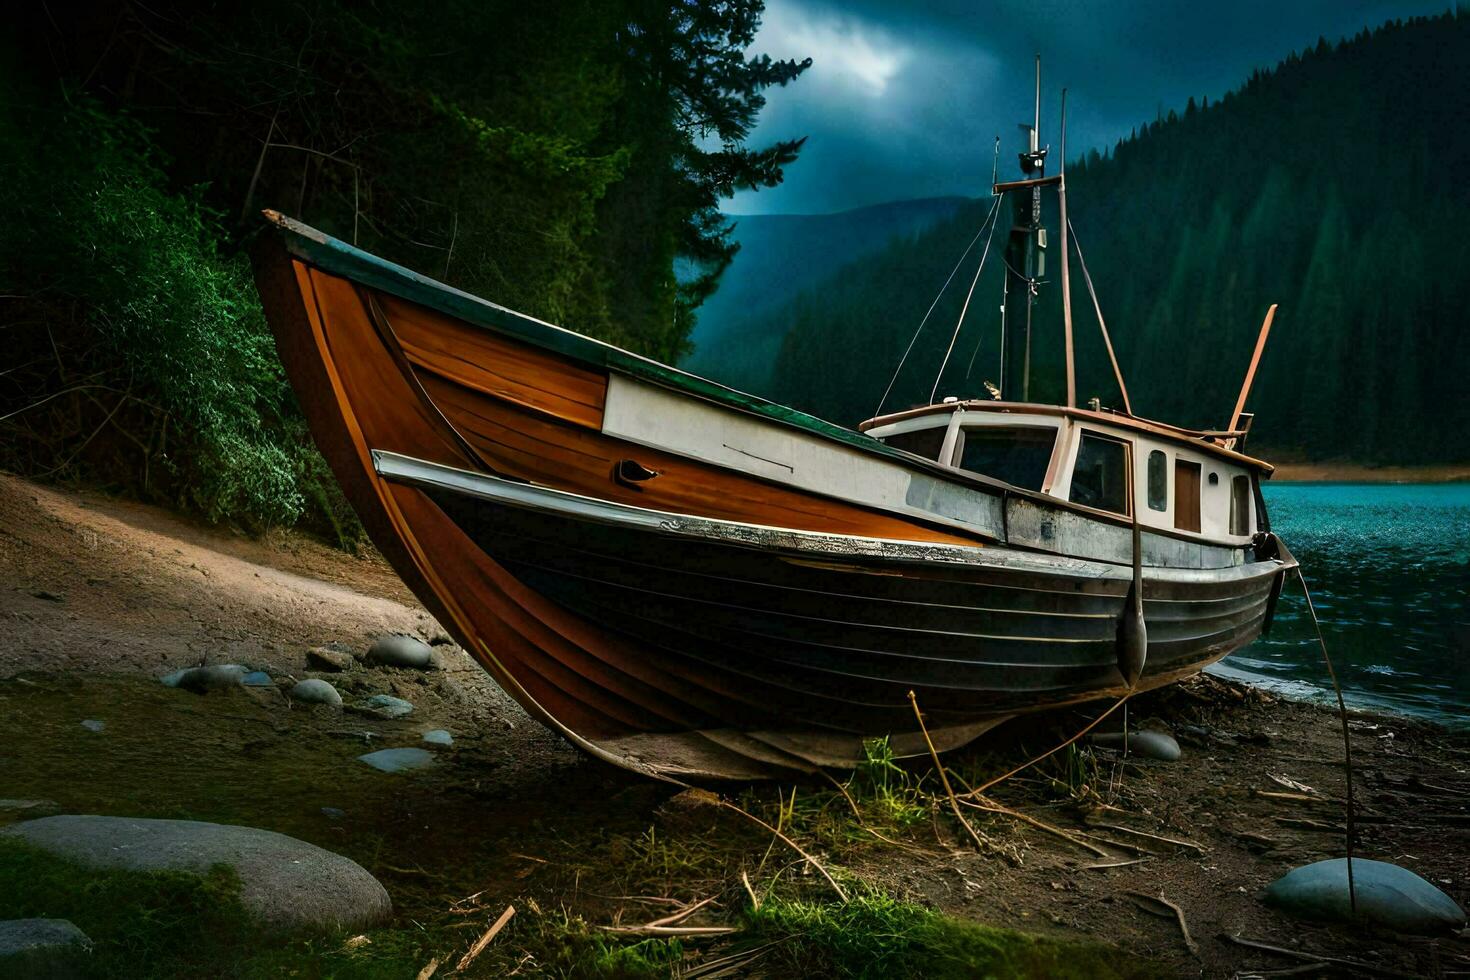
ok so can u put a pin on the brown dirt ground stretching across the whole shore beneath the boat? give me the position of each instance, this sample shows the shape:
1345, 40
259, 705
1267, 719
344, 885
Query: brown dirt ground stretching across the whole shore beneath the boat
104, 596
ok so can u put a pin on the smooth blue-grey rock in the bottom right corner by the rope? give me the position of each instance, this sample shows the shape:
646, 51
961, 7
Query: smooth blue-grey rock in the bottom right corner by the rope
1388, 896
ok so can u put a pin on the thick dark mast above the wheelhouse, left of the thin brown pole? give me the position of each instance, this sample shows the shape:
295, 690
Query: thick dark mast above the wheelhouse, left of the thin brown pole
1022, 267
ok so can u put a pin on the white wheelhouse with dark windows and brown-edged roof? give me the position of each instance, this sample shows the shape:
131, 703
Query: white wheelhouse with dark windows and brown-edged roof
1177, 481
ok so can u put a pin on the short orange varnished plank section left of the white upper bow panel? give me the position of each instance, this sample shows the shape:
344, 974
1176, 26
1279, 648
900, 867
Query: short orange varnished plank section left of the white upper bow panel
496, 367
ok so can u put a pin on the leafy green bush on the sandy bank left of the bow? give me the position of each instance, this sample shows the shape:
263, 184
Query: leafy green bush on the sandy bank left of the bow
164, 331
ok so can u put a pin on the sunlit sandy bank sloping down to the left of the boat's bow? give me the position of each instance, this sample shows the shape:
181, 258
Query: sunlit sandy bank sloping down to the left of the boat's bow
102, 587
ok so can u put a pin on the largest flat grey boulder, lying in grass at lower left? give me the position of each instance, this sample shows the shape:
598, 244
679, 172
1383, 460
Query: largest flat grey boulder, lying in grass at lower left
289, 885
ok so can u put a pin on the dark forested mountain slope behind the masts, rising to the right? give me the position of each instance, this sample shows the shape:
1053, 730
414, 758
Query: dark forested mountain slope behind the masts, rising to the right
1331, 186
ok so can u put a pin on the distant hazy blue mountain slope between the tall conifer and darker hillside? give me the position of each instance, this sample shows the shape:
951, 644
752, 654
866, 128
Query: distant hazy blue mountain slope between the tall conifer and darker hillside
780, 256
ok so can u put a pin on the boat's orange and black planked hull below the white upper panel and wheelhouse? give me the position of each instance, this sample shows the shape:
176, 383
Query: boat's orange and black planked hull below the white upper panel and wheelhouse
708, 621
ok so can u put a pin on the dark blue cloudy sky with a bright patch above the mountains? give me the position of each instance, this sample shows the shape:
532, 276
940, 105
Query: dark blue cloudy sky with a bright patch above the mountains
905, 99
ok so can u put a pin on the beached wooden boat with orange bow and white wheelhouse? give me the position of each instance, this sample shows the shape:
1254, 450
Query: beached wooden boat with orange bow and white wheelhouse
689, 581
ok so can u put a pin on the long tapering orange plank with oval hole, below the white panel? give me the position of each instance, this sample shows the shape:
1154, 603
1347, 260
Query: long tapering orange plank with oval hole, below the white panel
543, 450
